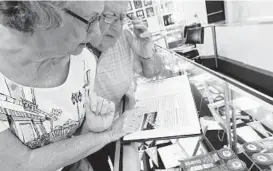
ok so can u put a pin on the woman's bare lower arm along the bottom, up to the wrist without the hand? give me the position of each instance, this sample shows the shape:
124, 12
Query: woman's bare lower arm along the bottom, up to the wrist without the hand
16, 156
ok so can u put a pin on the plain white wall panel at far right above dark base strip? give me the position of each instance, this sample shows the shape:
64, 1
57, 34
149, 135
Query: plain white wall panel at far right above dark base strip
248, 44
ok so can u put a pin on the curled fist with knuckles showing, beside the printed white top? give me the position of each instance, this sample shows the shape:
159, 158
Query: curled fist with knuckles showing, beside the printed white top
99, 114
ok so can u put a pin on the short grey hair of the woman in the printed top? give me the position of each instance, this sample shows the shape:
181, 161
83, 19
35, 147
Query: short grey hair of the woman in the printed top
26, 16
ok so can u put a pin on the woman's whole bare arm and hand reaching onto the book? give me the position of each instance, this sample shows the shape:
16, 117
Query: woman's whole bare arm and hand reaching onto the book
16, 156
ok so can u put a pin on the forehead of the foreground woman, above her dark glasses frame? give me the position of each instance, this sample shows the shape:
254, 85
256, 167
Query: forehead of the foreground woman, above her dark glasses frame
86, 8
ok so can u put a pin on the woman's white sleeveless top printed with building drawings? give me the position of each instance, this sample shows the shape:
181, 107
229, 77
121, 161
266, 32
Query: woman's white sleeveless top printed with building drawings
42, 116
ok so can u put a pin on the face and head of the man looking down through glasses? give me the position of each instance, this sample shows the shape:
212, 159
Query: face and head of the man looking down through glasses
114, 11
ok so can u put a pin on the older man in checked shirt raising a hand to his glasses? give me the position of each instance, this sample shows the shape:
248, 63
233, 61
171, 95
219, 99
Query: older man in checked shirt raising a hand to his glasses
118, 52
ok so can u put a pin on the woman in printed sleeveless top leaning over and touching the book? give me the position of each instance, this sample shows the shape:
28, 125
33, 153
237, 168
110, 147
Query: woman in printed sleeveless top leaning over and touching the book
46, 84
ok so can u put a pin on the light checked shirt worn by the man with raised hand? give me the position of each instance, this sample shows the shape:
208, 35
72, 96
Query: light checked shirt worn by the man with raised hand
114, 72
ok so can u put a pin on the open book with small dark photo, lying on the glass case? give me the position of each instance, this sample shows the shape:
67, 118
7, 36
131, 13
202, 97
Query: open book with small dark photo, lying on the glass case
172, 110
